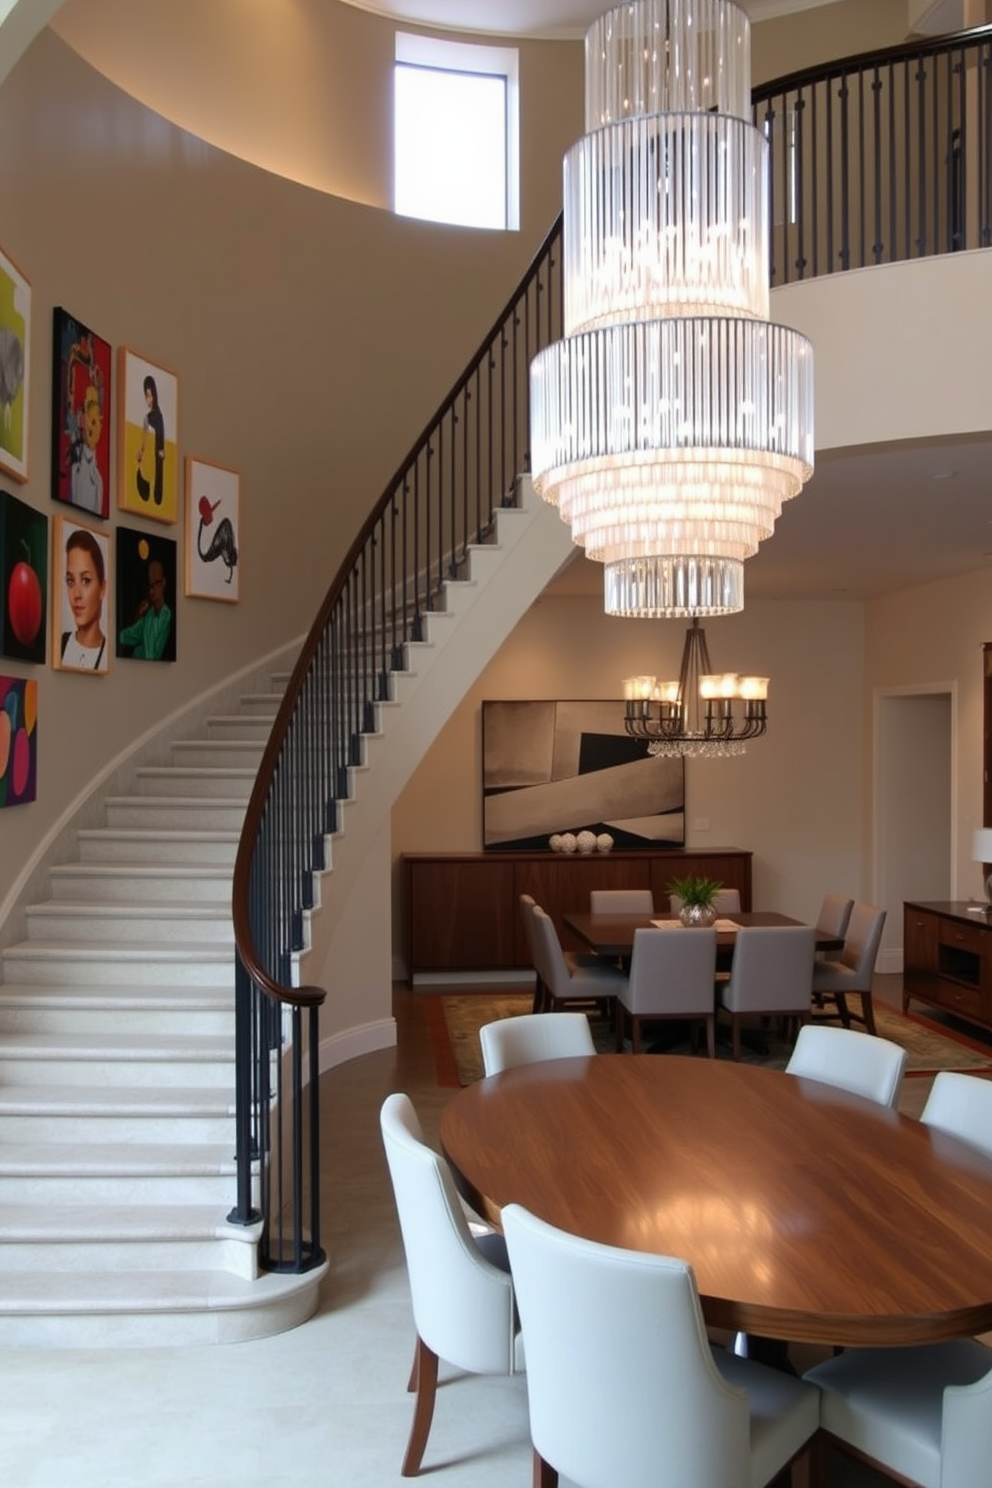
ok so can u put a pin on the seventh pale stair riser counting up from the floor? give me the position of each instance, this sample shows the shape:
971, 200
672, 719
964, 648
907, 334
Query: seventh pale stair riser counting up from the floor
213, 968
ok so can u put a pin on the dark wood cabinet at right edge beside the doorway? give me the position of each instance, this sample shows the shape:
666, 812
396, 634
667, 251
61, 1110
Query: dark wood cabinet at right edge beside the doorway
948, 959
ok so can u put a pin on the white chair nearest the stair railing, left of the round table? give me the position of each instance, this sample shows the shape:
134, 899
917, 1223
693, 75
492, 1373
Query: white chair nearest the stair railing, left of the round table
460, 1285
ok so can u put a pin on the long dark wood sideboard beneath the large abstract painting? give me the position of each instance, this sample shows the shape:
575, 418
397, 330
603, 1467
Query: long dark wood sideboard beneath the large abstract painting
463, 913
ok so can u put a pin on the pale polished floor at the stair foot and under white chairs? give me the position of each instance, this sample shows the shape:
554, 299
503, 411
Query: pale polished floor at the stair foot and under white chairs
322, 1407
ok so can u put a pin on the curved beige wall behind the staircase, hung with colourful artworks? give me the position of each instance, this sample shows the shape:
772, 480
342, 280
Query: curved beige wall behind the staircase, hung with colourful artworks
313, 340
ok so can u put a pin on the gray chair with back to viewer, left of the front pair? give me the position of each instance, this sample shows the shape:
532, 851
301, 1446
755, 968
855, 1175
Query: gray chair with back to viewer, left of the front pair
671, 977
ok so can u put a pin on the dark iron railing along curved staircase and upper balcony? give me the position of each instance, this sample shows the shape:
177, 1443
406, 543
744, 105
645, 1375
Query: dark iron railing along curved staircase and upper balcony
875, 158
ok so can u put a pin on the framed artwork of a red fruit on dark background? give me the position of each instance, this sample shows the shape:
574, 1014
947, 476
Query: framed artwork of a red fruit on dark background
25, 578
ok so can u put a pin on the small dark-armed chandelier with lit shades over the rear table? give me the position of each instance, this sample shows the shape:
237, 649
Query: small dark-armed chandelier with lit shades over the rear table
703, 713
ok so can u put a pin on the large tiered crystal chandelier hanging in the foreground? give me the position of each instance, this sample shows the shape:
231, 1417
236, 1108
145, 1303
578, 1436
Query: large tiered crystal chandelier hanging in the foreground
673, 420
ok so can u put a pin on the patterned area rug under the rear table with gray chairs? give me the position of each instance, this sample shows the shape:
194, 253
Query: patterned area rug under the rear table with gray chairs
459, 1017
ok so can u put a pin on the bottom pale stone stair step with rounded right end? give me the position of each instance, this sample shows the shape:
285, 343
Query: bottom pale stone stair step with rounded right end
56, 1310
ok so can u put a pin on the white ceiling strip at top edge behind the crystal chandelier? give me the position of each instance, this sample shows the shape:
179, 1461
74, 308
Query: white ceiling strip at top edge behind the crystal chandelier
550, 20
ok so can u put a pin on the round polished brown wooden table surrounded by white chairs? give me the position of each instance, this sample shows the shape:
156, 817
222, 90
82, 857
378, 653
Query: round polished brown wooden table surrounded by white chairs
807, 1213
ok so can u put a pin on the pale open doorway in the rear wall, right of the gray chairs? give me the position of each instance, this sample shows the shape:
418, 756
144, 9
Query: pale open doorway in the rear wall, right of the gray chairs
914, 807
